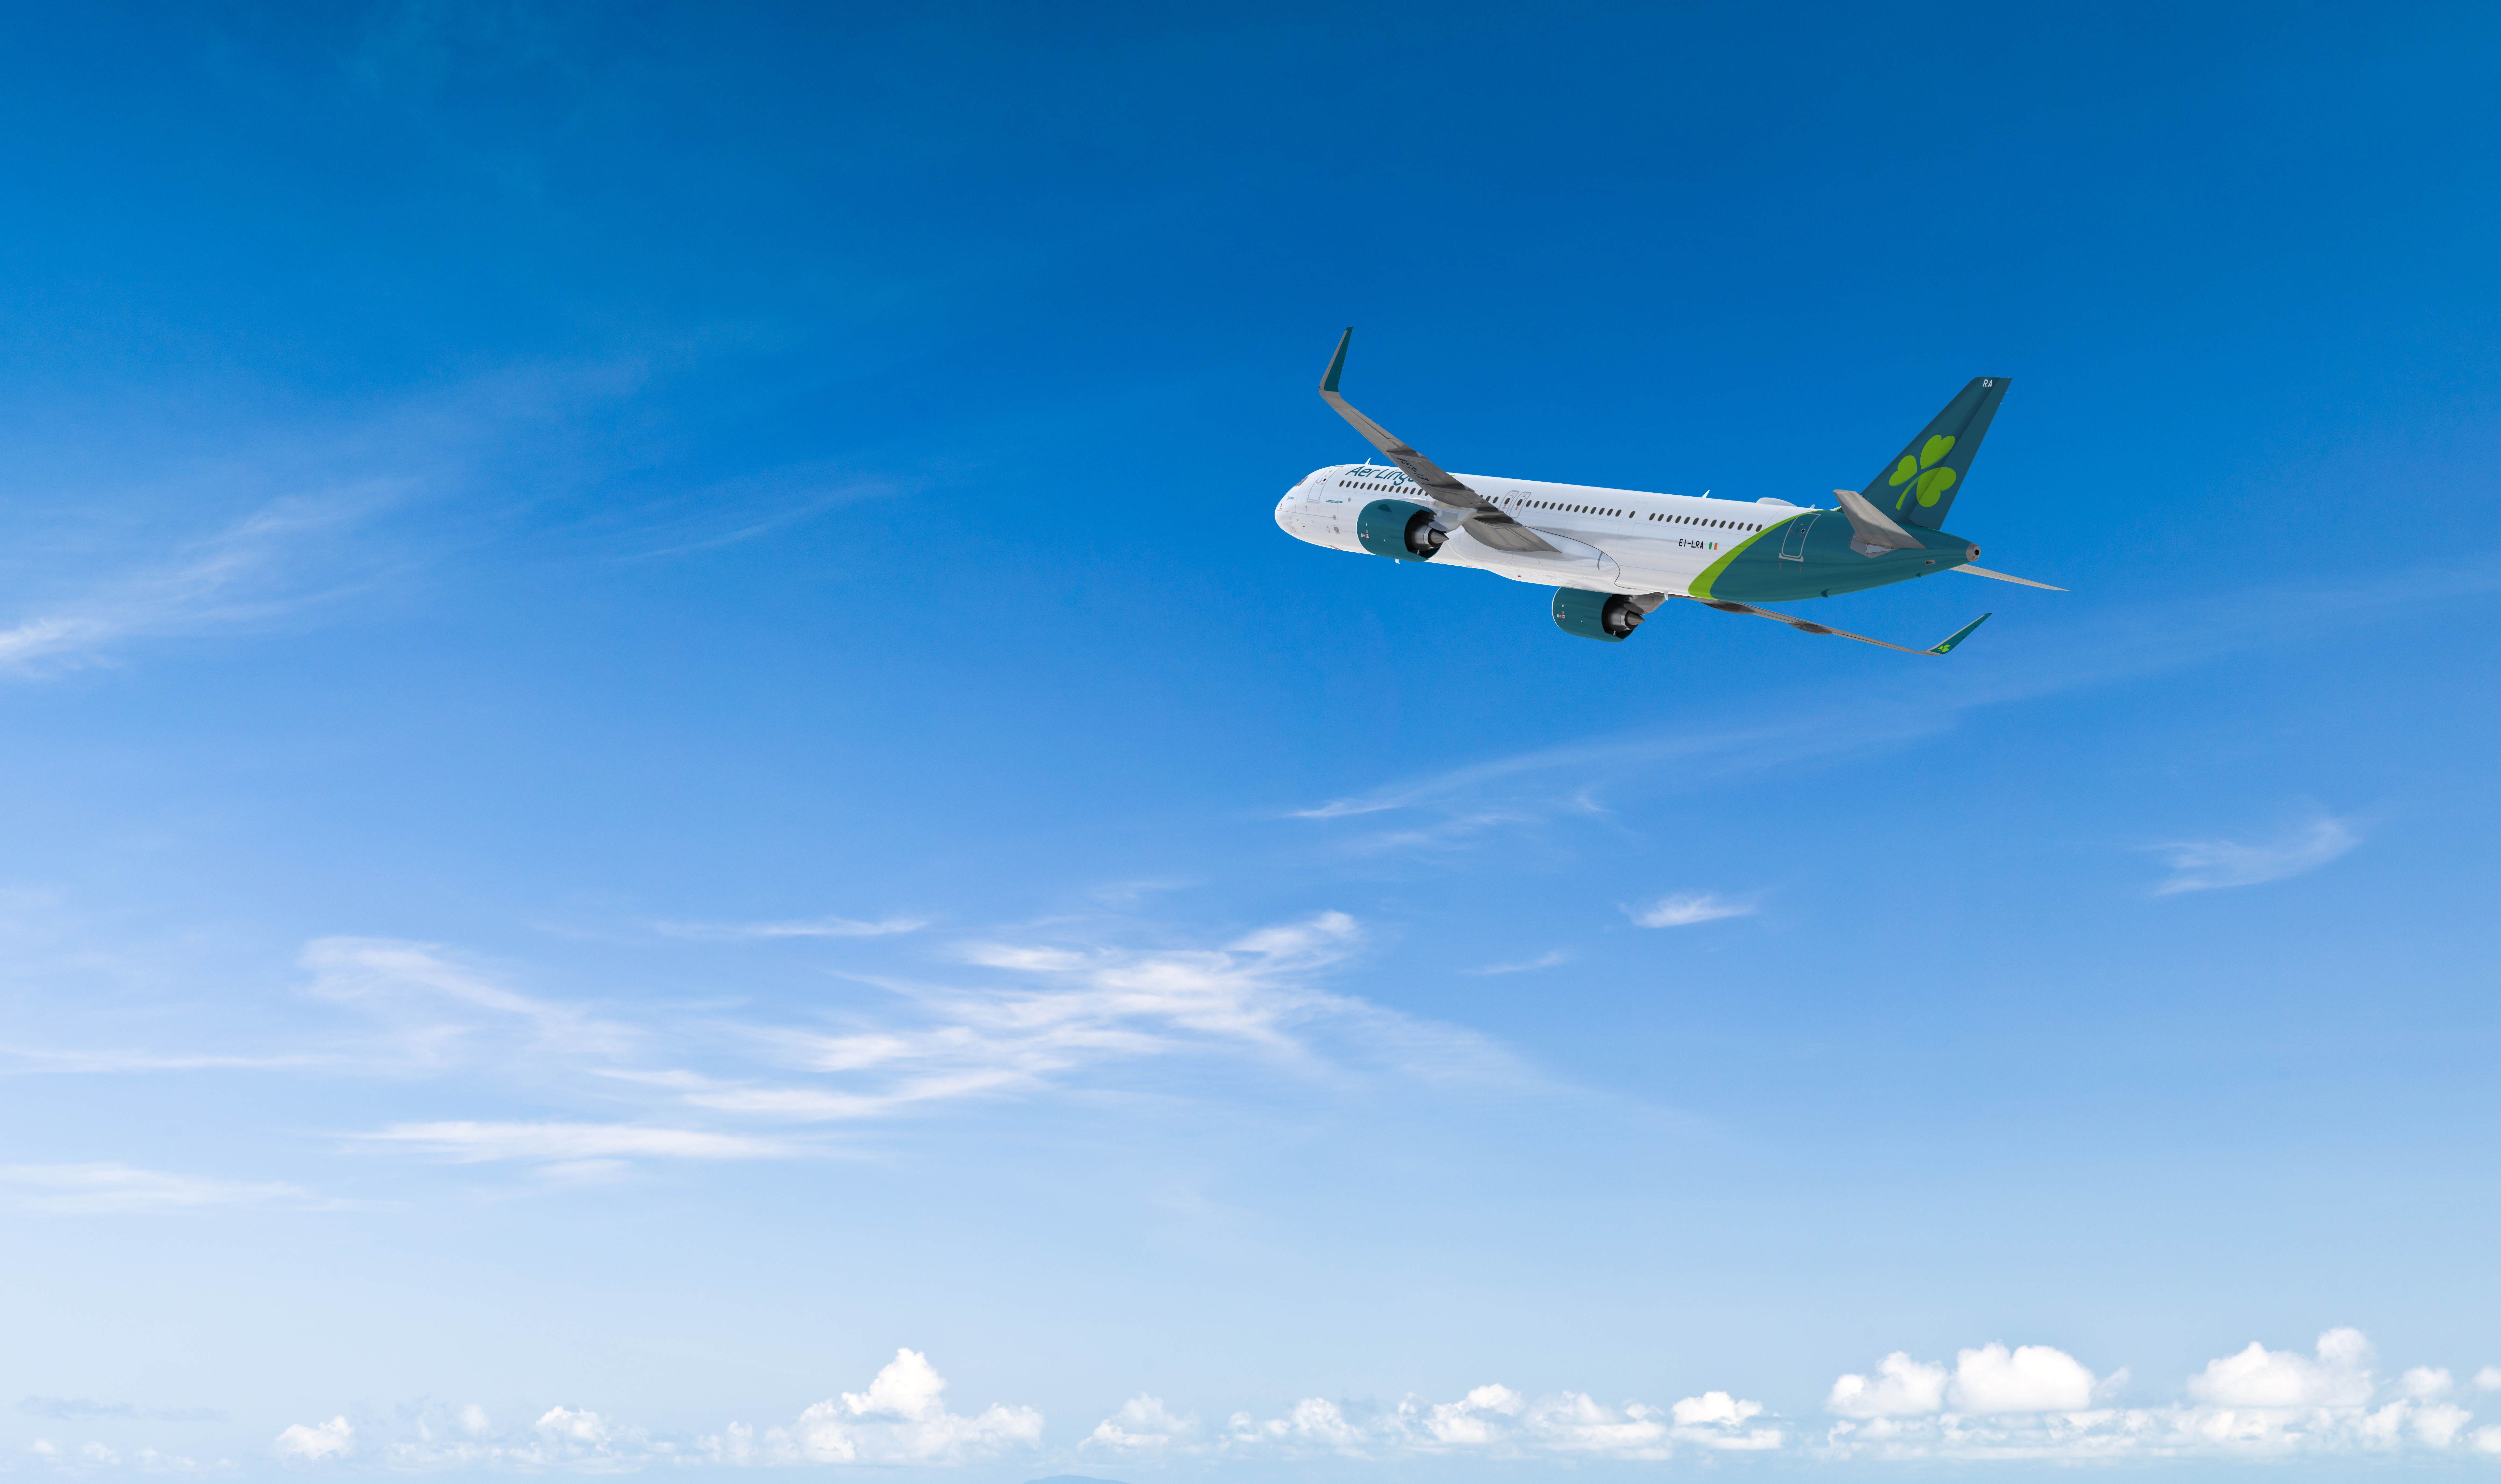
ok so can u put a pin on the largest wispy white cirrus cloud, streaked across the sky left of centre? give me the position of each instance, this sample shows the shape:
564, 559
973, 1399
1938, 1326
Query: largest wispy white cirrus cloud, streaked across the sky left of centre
1057, 1017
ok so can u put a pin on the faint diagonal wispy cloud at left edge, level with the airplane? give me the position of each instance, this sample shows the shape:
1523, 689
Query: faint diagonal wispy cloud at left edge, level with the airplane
241, 527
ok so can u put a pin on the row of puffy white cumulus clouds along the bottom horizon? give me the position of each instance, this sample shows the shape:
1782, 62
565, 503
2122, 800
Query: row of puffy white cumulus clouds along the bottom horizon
1995, 1405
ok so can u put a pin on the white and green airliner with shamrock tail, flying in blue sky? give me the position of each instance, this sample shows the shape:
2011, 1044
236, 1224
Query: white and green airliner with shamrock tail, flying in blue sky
1614, 557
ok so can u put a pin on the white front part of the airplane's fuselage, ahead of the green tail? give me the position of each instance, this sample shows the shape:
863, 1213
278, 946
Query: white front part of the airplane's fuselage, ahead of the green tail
1607, 542
